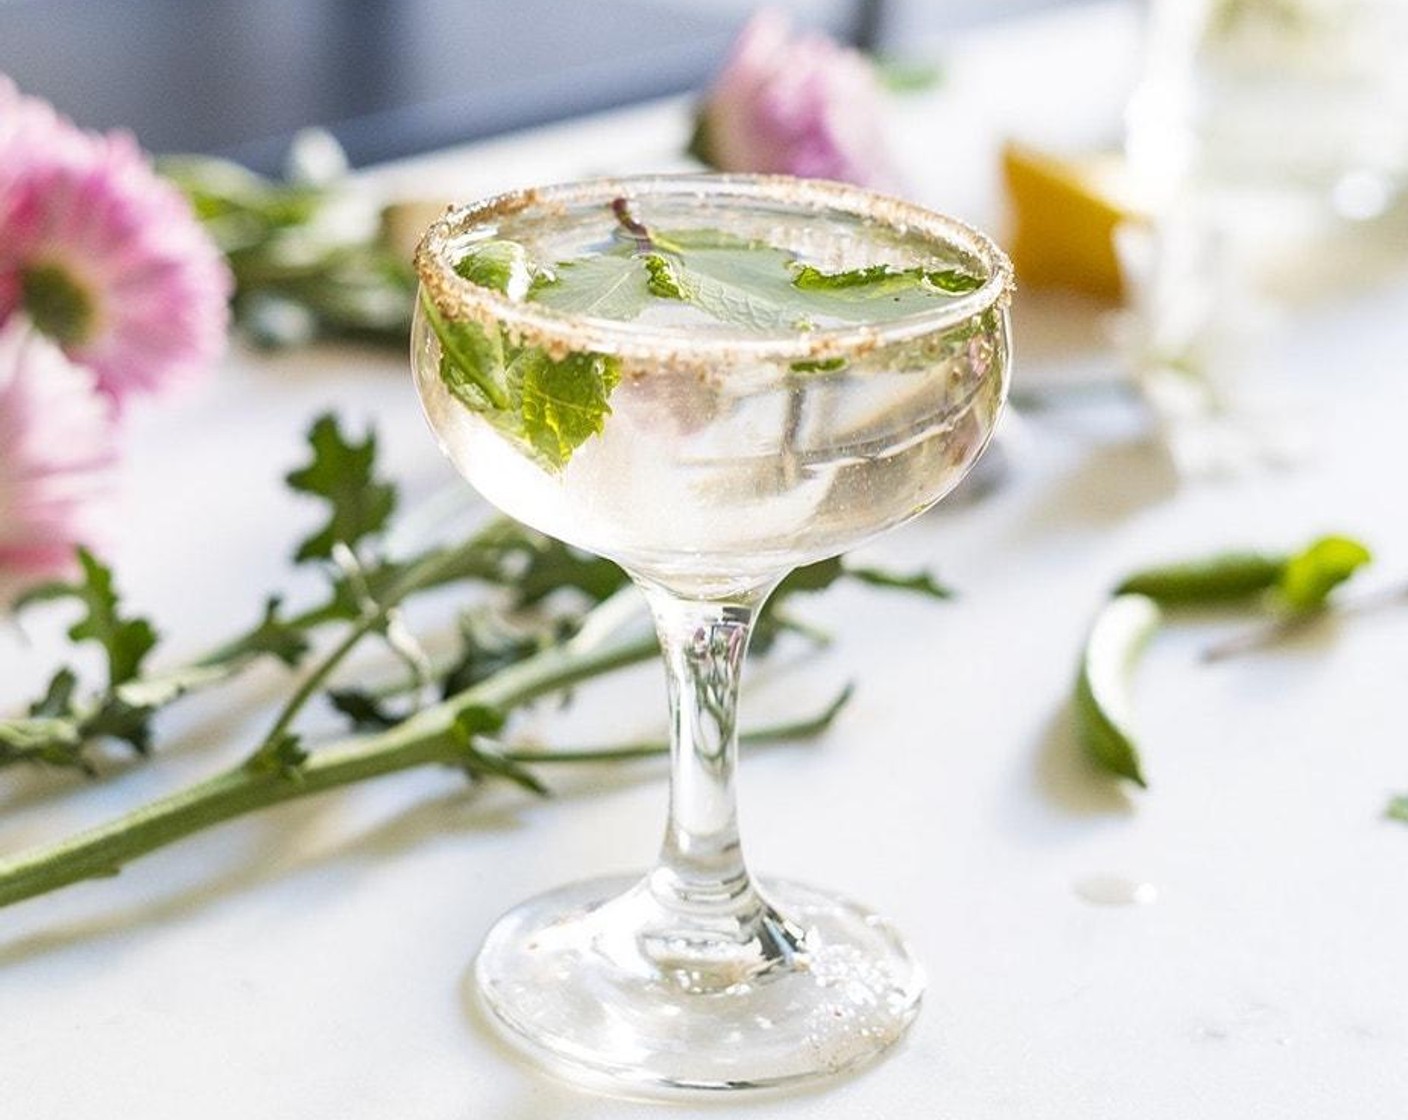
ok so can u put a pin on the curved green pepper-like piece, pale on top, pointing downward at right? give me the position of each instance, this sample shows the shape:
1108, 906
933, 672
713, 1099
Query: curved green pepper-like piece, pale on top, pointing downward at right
1102, 702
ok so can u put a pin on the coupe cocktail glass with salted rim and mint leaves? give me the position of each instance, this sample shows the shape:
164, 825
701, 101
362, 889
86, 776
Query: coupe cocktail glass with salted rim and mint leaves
726, 443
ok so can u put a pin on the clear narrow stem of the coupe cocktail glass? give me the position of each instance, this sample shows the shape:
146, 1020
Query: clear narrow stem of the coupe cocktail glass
702, 880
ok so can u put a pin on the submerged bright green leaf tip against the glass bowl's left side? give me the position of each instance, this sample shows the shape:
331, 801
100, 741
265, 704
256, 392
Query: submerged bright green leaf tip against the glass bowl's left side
564, 404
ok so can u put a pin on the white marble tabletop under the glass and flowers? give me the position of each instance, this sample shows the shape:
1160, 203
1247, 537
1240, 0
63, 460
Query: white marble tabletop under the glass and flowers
312, 963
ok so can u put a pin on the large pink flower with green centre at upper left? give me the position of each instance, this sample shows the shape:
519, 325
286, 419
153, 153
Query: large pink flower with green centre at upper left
102, 254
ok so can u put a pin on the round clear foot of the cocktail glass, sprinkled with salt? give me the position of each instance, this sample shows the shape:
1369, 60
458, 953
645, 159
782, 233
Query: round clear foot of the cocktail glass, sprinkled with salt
608, 987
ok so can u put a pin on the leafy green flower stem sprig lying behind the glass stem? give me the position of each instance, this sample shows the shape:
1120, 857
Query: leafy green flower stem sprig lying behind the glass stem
553, 623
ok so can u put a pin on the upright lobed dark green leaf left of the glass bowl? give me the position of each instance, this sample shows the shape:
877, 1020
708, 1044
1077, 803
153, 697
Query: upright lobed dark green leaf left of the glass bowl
344, 475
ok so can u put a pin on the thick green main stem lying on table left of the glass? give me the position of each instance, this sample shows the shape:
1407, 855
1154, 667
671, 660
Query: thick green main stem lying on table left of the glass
429, 738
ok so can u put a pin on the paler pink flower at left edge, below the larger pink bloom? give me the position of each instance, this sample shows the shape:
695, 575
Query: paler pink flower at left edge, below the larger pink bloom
56, 452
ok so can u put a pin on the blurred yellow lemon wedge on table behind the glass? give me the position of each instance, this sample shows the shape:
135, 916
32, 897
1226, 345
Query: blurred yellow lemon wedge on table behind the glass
1064, 216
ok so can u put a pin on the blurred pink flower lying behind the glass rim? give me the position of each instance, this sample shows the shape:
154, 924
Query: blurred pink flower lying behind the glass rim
796, 106
